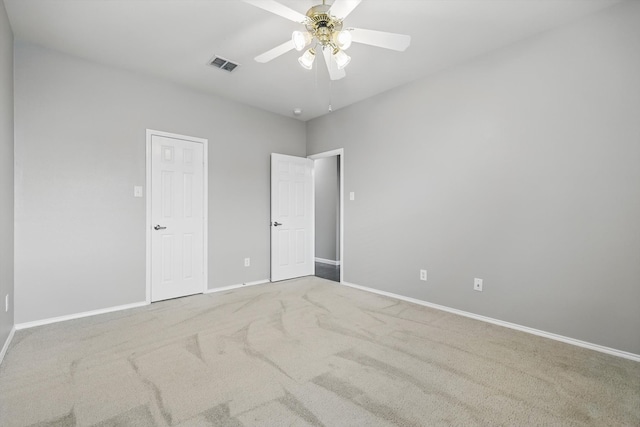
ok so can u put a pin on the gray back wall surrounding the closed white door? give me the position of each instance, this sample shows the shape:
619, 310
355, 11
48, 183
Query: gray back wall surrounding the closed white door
80, 149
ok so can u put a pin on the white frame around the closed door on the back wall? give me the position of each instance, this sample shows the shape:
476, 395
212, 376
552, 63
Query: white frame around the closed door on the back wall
205, 204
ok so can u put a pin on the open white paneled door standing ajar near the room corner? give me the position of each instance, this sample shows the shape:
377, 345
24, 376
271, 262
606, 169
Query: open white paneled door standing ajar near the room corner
292, 217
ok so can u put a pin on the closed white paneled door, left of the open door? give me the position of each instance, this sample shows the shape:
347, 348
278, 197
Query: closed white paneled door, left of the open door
177, 220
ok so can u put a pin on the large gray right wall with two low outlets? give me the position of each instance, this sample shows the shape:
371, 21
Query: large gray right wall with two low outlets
520, 167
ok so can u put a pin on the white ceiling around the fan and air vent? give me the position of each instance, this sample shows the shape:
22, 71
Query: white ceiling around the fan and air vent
175, 39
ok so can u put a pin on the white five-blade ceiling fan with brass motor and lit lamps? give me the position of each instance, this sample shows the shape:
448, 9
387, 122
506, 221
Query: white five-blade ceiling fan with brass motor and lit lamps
324, 31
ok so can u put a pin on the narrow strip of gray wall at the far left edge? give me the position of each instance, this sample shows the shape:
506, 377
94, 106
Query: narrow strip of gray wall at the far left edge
6, 175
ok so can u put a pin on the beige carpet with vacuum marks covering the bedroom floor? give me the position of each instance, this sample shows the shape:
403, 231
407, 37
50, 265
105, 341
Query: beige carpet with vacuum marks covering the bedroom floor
305, 352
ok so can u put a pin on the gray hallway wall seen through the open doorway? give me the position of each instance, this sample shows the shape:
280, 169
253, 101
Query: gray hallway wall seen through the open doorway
327, 195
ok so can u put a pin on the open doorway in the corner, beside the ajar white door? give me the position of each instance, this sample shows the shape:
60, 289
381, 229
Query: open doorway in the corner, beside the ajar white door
328, 193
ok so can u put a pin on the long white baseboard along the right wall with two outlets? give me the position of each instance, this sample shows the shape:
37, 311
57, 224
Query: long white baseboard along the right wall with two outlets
556, 337
